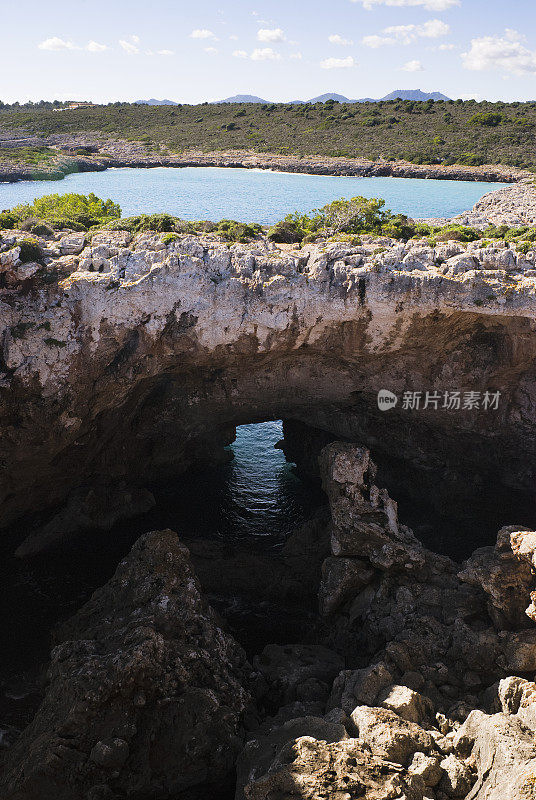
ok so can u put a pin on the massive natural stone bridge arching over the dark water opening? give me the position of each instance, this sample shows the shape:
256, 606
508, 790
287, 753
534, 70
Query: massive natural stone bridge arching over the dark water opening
145, 353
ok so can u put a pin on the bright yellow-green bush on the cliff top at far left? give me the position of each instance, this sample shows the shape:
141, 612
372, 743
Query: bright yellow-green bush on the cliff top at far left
73, 211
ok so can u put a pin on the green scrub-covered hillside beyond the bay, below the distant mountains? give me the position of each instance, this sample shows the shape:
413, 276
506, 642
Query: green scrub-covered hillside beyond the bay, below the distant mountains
440, 132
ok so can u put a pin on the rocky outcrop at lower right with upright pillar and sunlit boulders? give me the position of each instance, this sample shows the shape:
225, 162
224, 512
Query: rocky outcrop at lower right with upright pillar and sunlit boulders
418, 720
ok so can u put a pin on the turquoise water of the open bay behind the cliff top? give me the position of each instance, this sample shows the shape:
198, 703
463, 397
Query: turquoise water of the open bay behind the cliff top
249, 195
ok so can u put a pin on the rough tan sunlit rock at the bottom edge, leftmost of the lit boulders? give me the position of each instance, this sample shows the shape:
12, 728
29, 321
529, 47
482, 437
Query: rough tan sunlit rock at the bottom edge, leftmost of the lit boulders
307, 769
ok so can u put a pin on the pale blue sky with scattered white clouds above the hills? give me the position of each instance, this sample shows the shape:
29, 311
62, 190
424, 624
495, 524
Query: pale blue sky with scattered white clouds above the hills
280, 50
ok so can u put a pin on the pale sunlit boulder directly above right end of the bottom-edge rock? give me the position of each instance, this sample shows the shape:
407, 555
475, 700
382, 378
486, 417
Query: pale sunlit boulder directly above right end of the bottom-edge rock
389, 735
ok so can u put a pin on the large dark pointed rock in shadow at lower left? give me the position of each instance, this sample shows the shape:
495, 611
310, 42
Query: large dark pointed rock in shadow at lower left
146, 694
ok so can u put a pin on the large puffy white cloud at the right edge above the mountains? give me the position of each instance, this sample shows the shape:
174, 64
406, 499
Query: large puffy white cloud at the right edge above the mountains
507, 53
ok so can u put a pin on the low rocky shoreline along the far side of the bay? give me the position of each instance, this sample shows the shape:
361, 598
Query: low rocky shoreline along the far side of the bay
95, 152
